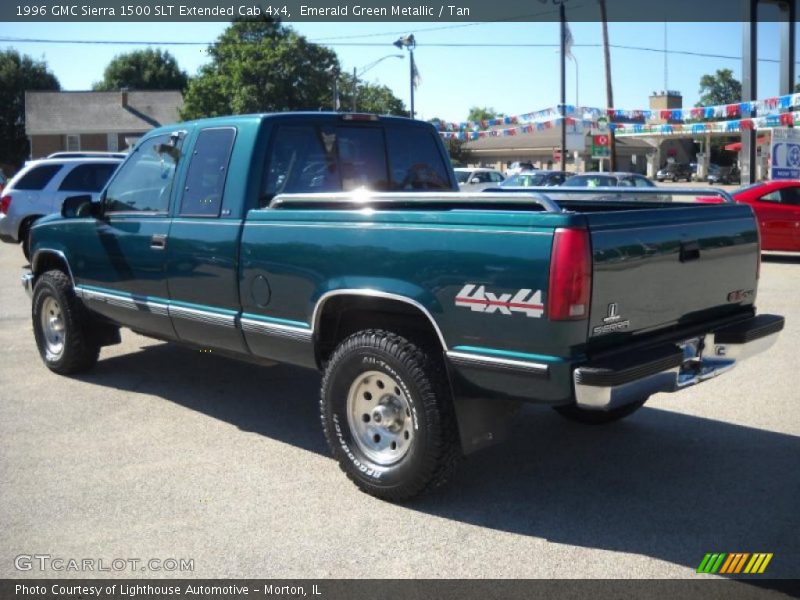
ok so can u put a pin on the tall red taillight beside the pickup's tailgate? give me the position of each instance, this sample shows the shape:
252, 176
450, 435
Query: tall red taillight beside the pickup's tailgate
570, 276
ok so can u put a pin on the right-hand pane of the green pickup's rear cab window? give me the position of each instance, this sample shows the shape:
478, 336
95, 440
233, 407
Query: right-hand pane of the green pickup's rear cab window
415, 161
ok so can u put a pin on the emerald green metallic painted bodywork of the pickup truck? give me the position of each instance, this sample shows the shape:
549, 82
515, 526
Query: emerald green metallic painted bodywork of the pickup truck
425, 256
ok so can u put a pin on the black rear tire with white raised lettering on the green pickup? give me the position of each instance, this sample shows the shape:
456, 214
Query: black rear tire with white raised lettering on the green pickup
433, 451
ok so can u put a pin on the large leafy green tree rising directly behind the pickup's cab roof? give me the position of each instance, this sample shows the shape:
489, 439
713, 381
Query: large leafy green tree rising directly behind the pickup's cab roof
261, 66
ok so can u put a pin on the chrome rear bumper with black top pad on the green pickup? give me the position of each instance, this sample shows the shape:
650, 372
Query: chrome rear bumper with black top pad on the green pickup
627, 378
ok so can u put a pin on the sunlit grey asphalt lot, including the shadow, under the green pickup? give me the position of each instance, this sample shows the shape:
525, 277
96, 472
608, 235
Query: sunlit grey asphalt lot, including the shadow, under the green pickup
163, 452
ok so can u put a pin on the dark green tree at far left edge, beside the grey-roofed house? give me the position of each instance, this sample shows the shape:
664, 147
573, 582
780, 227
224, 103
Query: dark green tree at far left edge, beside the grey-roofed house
18, 74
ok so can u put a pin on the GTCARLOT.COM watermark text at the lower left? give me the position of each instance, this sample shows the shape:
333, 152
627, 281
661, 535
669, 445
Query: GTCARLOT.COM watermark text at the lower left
58, 564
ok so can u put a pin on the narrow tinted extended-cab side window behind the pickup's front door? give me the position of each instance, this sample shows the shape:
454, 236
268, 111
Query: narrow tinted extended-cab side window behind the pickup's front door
205, 180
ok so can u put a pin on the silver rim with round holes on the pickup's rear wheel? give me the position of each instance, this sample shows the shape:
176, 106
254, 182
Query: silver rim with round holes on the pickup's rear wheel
380, 417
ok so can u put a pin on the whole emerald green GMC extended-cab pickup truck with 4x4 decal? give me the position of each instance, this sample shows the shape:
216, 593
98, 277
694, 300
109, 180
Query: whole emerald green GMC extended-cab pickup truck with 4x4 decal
339, 242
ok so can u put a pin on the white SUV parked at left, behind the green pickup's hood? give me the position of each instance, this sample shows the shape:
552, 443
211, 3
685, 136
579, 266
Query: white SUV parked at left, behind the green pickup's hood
40, 188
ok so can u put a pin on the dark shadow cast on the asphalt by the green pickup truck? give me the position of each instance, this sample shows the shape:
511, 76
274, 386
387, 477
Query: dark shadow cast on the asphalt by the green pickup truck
664, 485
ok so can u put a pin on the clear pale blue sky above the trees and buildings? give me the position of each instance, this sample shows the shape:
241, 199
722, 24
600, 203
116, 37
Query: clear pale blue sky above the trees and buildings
512, 80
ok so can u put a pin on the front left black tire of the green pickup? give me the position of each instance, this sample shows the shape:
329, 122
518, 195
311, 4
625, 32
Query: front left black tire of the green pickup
53, 294
